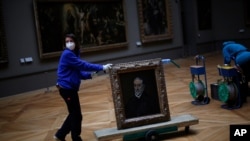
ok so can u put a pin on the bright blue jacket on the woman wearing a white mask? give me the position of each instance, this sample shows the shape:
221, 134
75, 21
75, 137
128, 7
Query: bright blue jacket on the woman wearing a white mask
72, 69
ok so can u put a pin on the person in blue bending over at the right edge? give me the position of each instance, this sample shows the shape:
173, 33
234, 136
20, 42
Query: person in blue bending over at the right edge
241, 57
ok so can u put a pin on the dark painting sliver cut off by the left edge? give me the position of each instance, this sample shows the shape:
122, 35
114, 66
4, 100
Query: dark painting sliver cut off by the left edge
3, 48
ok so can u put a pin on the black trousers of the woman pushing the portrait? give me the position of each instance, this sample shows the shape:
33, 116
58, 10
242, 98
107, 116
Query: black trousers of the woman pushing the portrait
73, 122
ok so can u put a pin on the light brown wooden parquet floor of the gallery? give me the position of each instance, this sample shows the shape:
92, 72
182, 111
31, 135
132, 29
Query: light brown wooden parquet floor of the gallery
36, 115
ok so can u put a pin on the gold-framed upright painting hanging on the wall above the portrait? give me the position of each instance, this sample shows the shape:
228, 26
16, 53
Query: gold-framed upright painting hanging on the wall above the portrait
155, 20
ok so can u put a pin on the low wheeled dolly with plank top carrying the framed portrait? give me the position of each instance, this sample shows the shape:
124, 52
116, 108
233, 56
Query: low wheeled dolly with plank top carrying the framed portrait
150, 132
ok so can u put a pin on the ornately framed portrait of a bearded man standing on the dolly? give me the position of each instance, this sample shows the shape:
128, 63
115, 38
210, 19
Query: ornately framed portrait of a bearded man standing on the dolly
139, 93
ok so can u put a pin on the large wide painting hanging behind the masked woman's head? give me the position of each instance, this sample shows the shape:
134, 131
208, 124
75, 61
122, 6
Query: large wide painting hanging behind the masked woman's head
98, 24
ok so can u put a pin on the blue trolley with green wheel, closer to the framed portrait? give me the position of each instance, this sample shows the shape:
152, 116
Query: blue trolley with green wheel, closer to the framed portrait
198, 88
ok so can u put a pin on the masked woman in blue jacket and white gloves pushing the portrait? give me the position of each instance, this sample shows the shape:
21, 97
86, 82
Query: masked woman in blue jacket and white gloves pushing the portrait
71, 70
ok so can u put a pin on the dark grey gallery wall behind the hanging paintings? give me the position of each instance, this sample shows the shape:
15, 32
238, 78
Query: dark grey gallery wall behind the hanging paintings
22, 42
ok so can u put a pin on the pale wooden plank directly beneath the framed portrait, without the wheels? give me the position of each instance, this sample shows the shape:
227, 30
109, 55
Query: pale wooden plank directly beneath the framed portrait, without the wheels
179, 121
